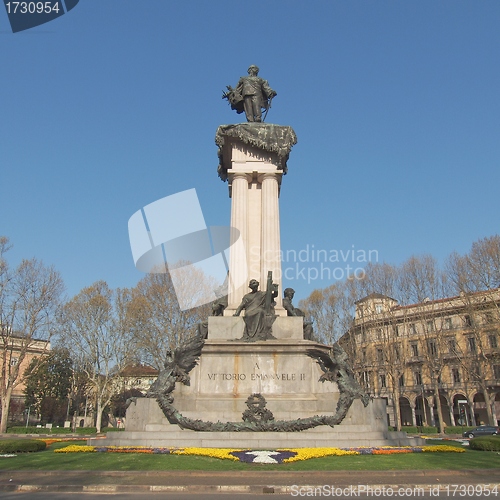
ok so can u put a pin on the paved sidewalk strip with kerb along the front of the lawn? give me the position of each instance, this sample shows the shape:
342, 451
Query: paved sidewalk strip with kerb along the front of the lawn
237, 481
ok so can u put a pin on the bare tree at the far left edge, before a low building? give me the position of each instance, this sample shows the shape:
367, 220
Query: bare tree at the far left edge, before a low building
29, 299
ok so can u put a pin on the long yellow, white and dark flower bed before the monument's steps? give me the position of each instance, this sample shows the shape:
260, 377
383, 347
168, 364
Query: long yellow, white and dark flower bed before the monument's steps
262, 456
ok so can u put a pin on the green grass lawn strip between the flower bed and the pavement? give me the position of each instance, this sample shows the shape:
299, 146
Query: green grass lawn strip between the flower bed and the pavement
48, 460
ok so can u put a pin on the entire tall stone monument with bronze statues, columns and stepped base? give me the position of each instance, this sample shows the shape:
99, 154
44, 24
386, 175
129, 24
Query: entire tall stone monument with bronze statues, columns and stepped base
253, 377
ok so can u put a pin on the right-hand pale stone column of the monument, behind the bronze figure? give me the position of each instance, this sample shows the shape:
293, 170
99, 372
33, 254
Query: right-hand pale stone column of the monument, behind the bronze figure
270, 256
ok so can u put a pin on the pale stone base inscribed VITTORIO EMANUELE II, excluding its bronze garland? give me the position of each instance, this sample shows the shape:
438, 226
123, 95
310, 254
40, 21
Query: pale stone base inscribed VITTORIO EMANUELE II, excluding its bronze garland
229, 371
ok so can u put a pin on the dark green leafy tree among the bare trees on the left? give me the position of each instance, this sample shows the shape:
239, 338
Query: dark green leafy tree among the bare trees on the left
48, 384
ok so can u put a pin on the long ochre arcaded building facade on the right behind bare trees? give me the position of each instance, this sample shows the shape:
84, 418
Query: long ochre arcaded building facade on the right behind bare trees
438, 360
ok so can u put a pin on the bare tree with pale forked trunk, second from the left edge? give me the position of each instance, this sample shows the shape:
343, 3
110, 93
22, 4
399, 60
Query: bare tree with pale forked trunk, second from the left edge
98, 333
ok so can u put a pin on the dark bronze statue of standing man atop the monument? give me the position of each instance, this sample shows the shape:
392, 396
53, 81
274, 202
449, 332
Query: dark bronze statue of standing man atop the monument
251, 95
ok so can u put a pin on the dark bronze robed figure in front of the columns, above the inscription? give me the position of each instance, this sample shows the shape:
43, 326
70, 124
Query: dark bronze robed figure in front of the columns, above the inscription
259, 311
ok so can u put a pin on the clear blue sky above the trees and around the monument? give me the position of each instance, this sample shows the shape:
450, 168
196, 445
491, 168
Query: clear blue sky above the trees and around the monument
396, 106
